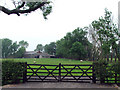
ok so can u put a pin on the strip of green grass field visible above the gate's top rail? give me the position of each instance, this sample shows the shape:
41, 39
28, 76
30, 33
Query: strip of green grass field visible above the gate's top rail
50, 61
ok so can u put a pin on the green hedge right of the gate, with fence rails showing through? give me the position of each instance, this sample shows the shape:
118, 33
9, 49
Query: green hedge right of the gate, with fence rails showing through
107, 72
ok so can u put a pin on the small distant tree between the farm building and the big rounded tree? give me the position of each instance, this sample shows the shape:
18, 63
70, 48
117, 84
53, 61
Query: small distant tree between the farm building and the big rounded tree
50, 48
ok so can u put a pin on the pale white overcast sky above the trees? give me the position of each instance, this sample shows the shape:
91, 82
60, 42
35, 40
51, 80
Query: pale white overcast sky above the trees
66, 16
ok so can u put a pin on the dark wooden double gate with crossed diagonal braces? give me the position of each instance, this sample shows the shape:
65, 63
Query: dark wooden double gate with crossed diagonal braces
60, 73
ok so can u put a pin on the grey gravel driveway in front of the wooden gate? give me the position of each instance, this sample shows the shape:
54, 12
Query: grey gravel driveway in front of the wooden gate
57, 85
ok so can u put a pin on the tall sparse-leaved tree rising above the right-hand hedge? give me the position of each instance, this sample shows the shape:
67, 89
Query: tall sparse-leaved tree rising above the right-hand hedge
106, 35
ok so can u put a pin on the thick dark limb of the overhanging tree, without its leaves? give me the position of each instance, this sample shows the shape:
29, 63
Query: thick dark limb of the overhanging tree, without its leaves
18, 11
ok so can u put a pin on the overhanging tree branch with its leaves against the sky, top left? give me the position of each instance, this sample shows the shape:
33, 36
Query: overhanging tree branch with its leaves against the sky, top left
25, 7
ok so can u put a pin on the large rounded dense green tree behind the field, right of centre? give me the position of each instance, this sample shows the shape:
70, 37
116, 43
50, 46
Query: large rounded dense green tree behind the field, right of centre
74, 45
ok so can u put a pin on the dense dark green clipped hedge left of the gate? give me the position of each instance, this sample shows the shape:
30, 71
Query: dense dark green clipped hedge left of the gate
12, 72
